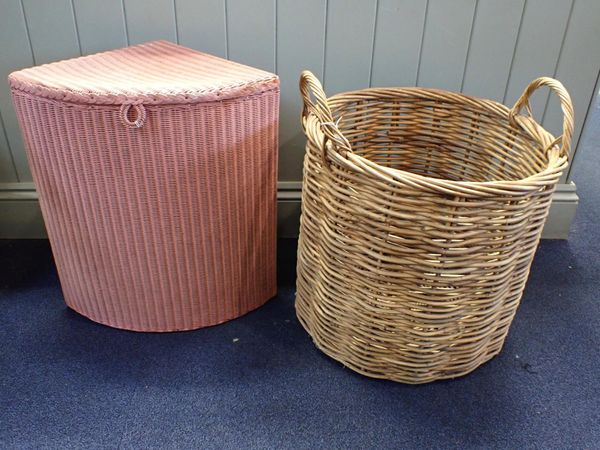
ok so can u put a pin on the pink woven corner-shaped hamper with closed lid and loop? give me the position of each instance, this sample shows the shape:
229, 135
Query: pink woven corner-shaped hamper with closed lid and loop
156, 168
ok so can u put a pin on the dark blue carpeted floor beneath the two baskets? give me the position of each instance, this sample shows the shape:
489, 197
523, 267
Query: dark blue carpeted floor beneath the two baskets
259, 382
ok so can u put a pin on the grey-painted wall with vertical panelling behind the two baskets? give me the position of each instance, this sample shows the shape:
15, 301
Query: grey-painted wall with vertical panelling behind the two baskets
489, 48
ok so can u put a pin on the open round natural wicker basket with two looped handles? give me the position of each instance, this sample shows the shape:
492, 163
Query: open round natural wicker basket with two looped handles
421, 213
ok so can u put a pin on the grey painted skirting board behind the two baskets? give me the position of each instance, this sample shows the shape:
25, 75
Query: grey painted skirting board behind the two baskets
20, 216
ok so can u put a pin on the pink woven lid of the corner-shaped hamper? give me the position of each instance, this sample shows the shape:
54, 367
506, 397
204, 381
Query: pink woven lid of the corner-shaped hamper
158, 72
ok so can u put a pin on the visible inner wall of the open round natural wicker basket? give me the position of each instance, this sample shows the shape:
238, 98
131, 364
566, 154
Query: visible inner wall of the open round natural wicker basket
455, 139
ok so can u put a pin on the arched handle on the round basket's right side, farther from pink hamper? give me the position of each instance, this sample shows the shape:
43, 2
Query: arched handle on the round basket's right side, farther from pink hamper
565, 103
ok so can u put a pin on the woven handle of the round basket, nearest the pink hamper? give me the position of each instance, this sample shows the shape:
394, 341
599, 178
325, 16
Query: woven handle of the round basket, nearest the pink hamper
310, 85
